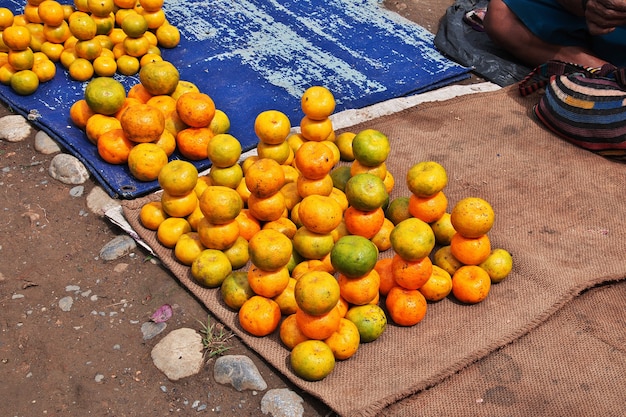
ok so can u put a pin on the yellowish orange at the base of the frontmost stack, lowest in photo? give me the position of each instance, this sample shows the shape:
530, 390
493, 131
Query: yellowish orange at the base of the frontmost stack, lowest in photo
312, 360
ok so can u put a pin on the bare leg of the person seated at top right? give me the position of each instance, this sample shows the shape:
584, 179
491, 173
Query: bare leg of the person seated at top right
509, 33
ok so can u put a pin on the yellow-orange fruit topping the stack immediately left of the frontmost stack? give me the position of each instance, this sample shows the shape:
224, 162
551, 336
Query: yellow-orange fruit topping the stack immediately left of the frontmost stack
270, 250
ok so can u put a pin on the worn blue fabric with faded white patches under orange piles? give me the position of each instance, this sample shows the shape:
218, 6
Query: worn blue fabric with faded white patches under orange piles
256, 55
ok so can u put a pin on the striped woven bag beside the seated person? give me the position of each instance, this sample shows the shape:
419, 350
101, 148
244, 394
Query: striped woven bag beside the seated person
585, 106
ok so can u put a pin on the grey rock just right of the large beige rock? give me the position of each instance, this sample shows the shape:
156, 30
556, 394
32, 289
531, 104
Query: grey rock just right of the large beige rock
239, 371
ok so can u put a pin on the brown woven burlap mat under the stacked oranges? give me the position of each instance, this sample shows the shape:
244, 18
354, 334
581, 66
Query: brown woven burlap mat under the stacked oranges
559, 211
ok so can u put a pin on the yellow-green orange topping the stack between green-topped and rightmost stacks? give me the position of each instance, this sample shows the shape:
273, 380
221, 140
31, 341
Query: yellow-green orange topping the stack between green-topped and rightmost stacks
412, 239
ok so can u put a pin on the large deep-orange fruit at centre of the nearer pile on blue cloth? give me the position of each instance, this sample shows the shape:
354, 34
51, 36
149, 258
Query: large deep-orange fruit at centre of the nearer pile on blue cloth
142, 123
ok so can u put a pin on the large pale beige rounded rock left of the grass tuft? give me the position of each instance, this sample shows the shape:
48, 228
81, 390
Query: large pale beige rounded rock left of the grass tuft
179, 354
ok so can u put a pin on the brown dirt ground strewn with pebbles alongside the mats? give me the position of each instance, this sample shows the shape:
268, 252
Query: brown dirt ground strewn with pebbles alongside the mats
92, 360
